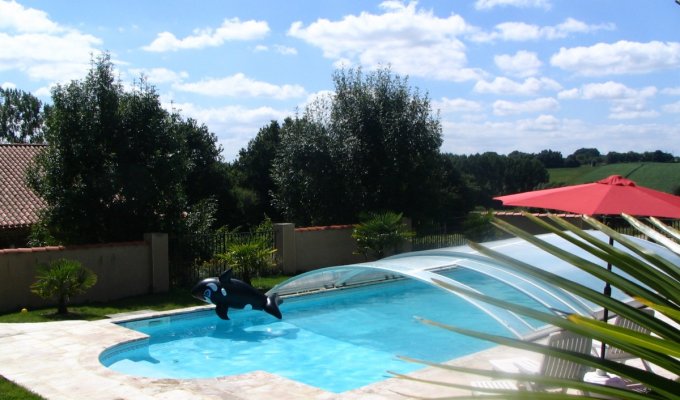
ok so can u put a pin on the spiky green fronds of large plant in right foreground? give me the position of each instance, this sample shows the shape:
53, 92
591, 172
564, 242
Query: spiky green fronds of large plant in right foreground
657, 287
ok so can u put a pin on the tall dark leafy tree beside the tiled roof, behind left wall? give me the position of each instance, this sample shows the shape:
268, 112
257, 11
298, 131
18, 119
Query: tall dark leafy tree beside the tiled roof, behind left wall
117, 165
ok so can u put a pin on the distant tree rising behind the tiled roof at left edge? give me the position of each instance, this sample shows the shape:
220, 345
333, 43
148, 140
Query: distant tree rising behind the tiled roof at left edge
21, 117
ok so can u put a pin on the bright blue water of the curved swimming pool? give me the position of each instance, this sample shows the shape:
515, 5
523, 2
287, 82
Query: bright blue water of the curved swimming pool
336, 341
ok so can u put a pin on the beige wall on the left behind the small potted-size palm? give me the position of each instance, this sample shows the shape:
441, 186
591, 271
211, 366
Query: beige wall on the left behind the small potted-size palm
123, 269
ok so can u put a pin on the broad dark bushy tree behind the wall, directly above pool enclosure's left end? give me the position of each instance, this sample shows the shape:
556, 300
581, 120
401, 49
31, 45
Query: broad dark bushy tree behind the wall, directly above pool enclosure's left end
372, 145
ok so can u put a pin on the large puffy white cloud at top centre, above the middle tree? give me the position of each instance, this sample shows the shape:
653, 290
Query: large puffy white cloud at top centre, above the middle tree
413, 42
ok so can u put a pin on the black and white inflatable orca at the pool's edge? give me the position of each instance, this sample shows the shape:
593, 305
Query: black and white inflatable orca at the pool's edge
228, 292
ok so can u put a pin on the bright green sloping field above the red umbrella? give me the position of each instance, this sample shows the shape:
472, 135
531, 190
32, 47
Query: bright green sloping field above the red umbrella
659, 176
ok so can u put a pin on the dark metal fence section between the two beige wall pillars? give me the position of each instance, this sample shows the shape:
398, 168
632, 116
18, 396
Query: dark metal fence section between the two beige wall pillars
194, 257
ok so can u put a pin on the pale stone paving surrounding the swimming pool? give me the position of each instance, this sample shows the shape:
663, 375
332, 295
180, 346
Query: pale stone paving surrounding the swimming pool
60, 360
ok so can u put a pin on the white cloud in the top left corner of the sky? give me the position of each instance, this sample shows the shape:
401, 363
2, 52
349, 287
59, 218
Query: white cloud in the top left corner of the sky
40, 48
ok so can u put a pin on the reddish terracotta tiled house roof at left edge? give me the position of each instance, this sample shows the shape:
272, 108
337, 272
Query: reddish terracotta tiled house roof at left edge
19, 205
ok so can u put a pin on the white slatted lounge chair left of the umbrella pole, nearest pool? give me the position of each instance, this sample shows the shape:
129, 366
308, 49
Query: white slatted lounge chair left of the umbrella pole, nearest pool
550, 366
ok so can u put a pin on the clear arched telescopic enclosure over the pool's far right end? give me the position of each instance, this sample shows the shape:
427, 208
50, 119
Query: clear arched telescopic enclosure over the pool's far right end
426, 266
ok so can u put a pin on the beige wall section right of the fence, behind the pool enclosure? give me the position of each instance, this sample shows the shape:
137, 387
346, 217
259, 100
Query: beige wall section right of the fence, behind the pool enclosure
305, 249
